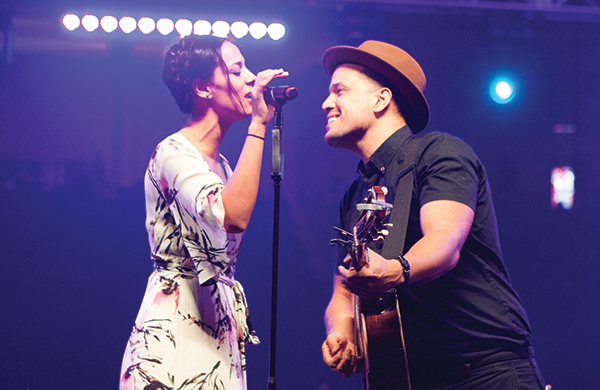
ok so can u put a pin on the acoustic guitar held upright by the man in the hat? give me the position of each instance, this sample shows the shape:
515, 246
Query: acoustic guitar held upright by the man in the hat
377, 322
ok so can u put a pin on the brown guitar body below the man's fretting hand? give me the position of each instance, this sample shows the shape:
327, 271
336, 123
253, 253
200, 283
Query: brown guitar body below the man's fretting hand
382, 343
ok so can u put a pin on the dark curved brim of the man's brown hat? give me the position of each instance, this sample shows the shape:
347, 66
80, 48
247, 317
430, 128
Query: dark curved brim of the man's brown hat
418, 118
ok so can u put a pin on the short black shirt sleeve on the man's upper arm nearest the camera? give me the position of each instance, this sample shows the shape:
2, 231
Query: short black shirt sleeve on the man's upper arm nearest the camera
448, 170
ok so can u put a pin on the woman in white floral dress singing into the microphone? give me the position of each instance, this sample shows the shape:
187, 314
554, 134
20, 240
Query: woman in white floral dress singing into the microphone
193, 323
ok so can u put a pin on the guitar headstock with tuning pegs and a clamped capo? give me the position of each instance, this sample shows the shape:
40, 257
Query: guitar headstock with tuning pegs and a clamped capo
369, 227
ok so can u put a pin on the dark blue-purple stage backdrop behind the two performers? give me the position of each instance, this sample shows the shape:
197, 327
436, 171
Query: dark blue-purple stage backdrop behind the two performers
80, 114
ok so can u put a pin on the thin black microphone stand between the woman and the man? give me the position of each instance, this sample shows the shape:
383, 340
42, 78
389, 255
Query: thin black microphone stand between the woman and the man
276, 176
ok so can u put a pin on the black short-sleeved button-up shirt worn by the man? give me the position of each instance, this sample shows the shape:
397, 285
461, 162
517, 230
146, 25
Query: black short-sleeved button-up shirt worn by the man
472, 311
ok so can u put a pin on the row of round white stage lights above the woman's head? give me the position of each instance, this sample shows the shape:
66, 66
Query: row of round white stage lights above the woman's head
166, 26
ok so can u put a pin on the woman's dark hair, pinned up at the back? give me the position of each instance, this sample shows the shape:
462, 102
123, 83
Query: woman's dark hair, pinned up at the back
193, 58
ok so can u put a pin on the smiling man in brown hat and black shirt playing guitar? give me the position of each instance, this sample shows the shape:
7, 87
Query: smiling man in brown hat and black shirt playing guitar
464, 326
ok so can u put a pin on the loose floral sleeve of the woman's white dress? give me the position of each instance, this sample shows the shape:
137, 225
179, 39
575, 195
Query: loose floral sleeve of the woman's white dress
193, 194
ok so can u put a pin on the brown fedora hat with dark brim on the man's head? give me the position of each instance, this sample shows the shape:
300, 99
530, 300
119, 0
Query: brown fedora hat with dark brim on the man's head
393, 63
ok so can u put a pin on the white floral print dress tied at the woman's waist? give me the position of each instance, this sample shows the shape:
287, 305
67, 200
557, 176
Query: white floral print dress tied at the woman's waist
193, 324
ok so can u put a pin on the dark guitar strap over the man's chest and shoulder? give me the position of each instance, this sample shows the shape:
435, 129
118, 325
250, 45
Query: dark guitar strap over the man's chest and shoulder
404, 166
